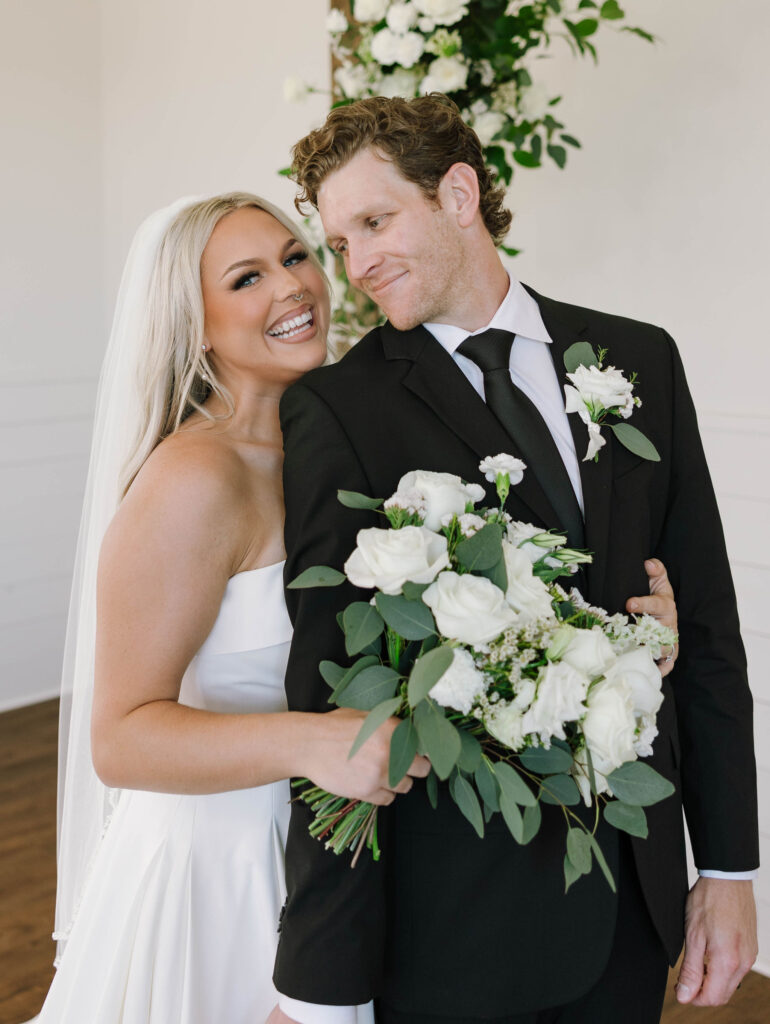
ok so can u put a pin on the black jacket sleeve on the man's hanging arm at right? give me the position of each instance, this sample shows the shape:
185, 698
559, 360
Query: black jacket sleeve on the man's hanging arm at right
713, 700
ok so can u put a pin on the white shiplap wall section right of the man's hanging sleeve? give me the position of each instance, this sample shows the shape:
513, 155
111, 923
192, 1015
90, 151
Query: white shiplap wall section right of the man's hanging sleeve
739, 452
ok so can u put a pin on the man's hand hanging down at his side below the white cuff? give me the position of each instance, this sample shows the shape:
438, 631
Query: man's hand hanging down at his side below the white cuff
720, 941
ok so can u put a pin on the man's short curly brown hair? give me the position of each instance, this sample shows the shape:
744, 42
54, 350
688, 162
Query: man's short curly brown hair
423, 138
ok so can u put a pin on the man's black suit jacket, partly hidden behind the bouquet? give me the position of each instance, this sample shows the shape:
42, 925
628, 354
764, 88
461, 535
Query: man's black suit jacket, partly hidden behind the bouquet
448, 923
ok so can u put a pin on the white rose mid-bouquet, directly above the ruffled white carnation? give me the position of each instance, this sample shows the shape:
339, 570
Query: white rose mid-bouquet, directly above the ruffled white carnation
468, 609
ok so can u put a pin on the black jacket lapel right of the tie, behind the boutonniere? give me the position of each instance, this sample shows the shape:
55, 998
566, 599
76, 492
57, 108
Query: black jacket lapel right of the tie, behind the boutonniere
566, 326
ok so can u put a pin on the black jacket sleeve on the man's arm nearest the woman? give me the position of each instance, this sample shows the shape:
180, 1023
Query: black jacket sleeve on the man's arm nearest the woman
333, 924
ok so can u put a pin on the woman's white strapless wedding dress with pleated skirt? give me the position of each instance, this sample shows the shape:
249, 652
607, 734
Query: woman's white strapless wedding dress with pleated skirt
179, 922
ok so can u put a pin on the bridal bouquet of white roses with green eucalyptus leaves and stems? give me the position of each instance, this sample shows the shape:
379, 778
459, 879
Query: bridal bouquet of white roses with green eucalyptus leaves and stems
518, 691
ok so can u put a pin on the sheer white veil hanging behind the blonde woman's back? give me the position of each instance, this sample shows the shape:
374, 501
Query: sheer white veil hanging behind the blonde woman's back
84, 802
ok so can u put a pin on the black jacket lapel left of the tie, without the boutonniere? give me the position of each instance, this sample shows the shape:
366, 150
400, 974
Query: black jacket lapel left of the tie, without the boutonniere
436, 379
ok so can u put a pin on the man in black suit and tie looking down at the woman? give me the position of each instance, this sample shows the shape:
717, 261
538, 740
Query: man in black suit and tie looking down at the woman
448, 927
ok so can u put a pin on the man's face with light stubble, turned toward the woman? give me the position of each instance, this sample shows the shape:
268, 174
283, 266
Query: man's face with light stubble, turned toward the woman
403, 250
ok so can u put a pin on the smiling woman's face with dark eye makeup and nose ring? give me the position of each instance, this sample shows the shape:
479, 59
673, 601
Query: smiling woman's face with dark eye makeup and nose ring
252, 273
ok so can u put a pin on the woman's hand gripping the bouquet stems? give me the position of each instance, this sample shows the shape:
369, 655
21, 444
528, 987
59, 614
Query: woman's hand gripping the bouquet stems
364, 777
